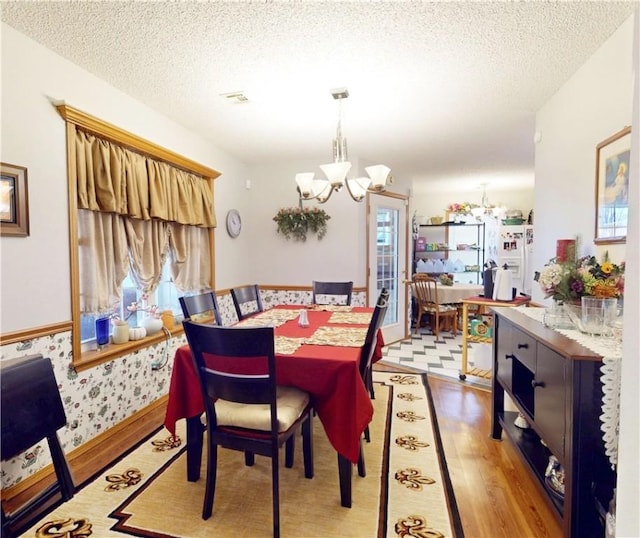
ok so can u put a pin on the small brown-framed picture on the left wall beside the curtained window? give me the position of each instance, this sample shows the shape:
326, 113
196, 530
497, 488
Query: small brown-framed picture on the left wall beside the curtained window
14, 204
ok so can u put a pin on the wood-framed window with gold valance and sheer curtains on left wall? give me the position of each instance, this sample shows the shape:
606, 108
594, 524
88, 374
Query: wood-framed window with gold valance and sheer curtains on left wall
178, 223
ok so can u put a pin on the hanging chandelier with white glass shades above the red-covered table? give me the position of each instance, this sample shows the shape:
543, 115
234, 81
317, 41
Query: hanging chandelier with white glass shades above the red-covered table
311, 188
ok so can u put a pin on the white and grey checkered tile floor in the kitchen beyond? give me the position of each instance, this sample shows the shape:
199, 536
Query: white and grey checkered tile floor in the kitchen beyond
441, 357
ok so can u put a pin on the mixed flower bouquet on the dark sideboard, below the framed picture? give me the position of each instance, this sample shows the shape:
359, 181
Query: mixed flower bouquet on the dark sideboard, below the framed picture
569, 281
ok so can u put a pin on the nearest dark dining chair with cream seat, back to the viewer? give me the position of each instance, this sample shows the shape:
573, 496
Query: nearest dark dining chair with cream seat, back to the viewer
244, 407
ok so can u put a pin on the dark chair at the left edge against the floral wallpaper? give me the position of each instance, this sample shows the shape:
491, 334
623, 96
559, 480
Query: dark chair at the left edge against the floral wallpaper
32, 411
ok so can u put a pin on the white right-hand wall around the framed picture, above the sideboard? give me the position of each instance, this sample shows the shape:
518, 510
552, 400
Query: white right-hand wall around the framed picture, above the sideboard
593, 105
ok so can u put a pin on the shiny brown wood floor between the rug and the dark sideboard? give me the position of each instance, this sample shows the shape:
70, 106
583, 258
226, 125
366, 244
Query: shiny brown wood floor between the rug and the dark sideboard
495, 495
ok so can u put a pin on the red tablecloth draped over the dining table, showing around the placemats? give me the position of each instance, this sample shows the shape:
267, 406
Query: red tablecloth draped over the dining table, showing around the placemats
329, 373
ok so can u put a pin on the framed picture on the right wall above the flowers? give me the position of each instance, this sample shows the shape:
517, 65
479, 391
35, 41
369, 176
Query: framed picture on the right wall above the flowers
612, 188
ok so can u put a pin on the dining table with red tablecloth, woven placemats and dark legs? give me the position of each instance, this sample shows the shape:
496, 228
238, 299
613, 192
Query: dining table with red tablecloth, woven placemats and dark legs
321, 358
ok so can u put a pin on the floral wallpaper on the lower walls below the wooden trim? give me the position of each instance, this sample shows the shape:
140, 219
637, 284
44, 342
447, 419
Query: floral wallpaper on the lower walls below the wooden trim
99, 398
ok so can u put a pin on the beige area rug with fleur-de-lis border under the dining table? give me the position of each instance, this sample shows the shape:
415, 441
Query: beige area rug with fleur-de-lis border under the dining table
406, 491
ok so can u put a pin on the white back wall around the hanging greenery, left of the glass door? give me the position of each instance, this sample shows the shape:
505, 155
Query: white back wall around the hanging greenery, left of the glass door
340, 255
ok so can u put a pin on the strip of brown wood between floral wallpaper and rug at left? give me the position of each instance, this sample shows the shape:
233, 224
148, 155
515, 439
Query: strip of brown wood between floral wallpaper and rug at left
93, 456
